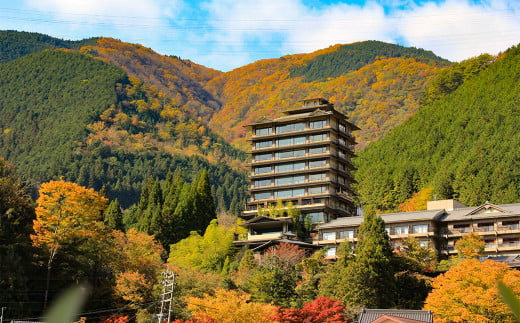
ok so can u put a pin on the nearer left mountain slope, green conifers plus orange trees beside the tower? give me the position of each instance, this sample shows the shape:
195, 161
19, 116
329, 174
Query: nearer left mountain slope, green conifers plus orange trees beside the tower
67, 115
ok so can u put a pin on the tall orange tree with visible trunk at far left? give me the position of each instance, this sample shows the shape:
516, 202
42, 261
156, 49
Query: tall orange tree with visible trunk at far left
64, 211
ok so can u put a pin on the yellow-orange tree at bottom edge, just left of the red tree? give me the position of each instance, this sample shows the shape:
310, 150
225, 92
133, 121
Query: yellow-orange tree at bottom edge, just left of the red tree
229, 306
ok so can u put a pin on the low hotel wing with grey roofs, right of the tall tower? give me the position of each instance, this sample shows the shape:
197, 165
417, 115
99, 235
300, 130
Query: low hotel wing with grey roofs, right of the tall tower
440, 226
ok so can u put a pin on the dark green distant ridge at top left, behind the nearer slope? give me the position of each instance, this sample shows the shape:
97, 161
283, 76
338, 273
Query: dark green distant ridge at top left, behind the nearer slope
15, 44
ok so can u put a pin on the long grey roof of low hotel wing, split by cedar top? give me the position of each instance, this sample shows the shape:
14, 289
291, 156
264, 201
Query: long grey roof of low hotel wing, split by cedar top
428, 215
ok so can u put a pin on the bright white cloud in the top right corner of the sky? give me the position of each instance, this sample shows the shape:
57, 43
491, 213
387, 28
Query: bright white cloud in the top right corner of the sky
459, 30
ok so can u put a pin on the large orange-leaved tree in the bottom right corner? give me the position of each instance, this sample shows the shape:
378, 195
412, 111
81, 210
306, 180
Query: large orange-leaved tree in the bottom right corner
468, 292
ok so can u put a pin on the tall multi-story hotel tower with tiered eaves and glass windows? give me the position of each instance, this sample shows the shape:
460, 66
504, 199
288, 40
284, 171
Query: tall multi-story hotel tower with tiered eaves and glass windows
303, 157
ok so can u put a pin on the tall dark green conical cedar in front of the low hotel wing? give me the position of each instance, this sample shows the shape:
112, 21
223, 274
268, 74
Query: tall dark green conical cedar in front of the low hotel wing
371, 273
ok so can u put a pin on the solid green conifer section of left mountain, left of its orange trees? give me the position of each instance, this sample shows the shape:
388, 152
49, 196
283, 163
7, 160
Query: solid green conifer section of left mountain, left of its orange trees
46, 101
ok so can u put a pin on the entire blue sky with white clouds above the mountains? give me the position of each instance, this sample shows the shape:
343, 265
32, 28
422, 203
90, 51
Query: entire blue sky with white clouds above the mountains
226, 34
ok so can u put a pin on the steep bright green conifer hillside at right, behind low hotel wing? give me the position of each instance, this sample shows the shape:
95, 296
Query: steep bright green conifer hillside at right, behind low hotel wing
464, 145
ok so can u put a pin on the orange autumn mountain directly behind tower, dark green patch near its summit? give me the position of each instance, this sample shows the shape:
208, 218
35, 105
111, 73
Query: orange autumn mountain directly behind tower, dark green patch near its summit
377, 85
